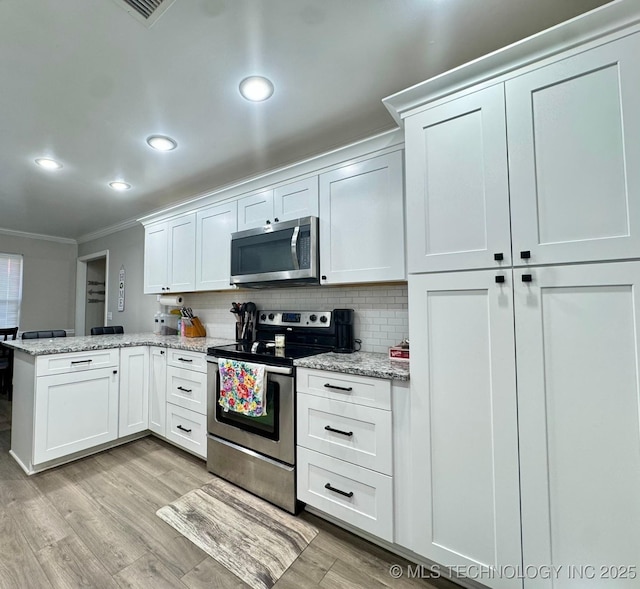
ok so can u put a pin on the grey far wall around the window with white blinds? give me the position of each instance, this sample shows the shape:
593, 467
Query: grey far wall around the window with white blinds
49, 281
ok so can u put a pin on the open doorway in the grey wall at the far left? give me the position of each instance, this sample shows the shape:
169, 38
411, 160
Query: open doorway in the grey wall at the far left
92, 291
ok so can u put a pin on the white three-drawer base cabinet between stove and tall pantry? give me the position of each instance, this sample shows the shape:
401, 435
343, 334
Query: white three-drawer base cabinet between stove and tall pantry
345, 448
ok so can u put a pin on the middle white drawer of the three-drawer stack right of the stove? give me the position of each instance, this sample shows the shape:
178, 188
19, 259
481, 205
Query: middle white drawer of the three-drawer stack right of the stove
360, 435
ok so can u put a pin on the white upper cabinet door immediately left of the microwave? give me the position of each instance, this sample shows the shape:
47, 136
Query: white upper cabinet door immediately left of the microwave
214, 226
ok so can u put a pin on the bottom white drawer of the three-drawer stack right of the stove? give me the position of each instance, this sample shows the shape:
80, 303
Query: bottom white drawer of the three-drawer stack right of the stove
366, 497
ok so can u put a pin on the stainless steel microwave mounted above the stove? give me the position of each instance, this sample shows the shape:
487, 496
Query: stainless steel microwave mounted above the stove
279, 254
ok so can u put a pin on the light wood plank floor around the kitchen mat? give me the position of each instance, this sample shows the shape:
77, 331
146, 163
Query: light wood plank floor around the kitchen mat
92, 523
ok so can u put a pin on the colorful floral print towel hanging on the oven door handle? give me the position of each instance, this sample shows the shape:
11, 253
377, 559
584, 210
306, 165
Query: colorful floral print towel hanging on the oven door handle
241, 387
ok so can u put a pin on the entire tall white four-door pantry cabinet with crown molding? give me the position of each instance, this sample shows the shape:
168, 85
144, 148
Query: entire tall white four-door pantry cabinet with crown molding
523, 225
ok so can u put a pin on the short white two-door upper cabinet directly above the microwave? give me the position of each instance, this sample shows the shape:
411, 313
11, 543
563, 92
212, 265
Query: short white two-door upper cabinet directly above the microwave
291, 201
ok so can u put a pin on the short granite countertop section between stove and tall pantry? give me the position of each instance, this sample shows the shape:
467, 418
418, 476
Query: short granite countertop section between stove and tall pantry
360, 363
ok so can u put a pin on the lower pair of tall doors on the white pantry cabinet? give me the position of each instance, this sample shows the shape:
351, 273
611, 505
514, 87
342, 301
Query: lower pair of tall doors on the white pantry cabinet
569, 498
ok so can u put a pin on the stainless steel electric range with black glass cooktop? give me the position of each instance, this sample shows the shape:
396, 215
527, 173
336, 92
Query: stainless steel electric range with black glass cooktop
258, 454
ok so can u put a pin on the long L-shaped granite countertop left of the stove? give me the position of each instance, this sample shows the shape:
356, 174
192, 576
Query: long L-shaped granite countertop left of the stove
61, 345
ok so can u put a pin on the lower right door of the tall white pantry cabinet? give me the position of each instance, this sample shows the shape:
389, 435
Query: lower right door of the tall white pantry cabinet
578, 394
